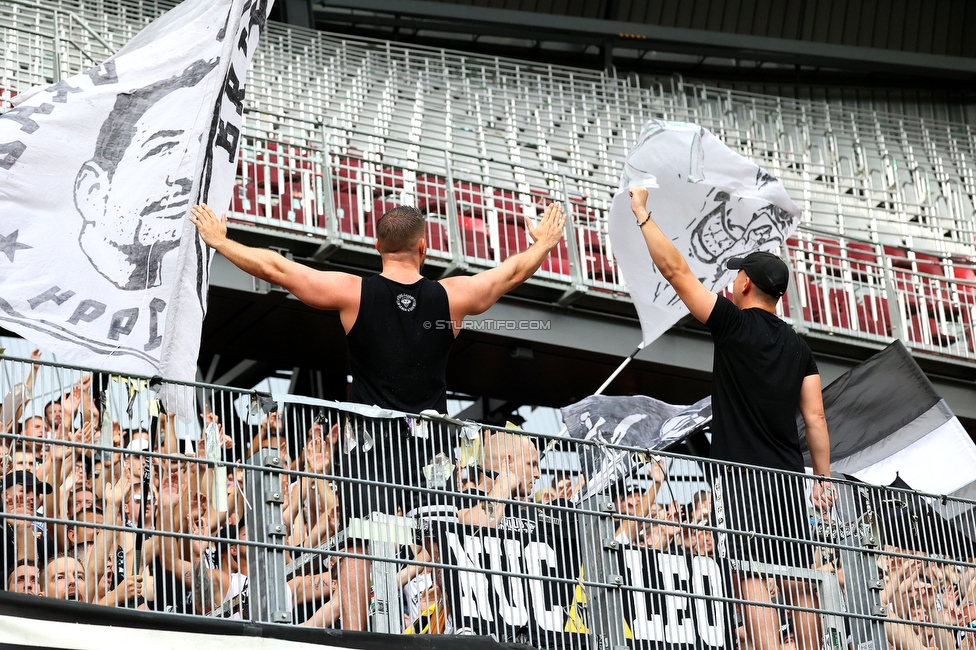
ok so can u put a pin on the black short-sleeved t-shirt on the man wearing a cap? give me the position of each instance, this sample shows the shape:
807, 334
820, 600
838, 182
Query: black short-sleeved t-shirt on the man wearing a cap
759, 366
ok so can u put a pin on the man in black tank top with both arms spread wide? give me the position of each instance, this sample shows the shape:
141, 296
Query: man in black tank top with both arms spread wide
400, 327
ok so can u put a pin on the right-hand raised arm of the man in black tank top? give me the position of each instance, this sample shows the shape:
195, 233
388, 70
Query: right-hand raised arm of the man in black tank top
471, 295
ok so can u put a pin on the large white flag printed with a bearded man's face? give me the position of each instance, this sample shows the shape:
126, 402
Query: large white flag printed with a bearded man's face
98, 261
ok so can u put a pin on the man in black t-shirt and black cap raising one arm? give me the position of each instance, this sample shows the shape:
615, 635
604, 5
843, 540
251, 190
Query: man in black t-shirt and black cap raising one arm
763, 373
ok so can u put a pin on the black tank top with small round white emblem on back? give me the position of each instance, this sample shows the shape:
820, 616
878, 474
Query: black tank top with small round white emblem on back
399, 344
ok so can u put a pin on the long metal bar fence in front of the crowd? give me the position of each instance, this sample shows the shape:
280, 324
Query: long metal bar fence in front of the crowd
293, 510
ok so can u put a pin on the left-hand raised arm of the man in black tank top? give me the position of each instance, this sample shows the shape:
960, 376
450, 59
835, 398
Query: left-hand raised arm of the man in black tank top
319, 289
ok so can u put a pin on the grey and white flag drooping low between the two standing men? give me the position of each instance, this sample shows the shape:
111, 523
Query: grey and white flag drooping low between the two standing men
627, 421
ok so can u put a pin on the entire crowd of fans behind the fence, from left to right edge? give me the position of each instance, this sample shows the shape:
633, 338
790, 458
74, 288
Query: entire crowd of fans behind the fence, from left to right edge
135, 517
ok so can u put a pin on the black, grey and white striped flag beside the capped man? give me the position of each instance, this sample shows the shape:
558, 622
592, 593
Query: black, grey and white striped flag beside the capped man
886, 421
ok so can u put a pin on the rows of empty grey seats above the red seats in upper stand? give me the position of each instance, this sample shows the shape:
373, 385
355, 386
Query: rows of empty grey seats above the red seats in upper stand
895, 179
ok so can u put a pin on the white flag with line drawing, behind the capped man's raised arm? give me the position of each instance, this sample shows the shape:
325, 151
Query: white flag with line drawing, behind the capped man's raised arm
710, 201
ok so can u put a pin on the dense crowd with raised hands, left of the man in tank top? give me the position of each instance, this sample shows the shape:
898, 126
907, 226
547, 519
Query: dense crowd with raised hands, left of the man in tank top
138, 520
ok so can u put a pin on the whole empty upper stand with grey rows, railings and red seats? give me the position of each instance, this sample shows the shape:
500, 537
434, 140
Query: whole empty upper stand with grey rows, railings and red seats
339, 129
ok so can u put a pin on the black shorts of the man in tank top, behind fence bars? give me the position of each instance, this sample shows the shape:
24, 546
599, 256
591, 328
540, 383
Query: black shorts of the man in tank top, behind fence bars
389, 454
